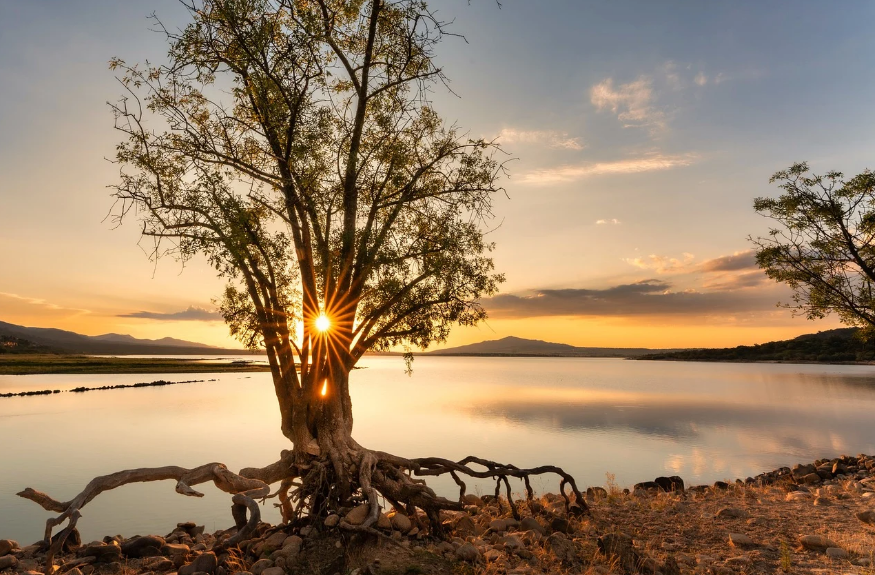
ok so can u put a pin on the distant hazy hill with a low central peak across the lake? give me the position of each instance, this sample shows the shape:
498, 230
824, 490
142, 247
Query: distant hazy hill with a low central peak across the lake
517, 346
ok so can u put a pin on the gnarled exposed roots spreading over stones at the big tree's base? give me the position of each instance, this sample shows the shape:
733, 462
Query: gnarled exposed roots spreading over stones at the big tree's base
317, 487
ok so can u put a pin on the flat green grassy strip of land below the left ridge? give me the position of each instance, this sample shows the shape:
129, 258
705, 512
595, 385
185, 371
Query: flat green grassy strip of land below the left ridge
14, 364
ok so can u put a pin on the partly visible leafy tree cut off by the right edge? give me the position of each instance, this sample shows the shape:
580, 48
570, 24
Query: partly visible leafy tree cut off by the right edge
824, 247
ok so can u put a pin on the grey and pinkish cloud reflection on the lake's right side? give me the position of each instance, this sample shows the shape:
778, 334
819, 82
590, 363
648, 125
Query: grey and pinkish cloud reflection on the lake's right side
707, 434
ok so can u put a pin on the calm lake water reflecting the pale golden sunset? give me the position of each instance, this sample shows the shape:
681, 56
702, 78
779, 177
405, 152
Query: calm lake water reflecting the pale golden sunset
634, 419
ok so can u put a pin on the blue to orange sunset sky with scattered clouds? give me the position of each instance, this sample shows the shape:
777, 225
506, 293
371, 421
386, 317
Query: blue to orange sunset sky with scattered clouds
640, 132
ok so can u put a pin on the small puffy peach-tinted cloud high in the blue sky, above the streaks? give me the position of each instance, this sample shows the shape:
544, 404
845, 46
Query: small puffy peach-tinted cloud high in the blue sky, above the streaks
631, 102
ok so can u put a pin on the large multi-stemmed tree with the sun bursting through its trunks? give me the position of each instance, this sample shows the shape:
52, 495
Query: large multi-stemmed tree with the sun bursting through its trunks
293, 143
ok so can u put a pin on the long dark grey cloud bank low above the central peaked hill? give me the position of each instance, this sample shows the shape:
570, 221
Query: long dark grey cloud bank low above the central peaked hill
650, 297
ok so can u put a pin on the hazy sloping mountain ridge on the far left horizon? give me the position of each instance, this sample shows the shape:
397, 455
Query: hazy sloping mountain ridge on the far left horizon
50, 340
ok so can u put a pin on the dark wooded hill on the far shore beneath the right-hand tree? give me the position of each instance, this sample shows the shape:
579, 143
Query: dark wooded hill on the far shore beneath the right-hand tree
831, 346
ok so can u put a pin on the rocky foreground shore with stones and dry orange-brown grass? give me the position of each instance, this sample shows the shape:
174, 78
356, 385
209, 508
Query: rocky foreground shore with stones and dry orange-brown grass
813, 518
